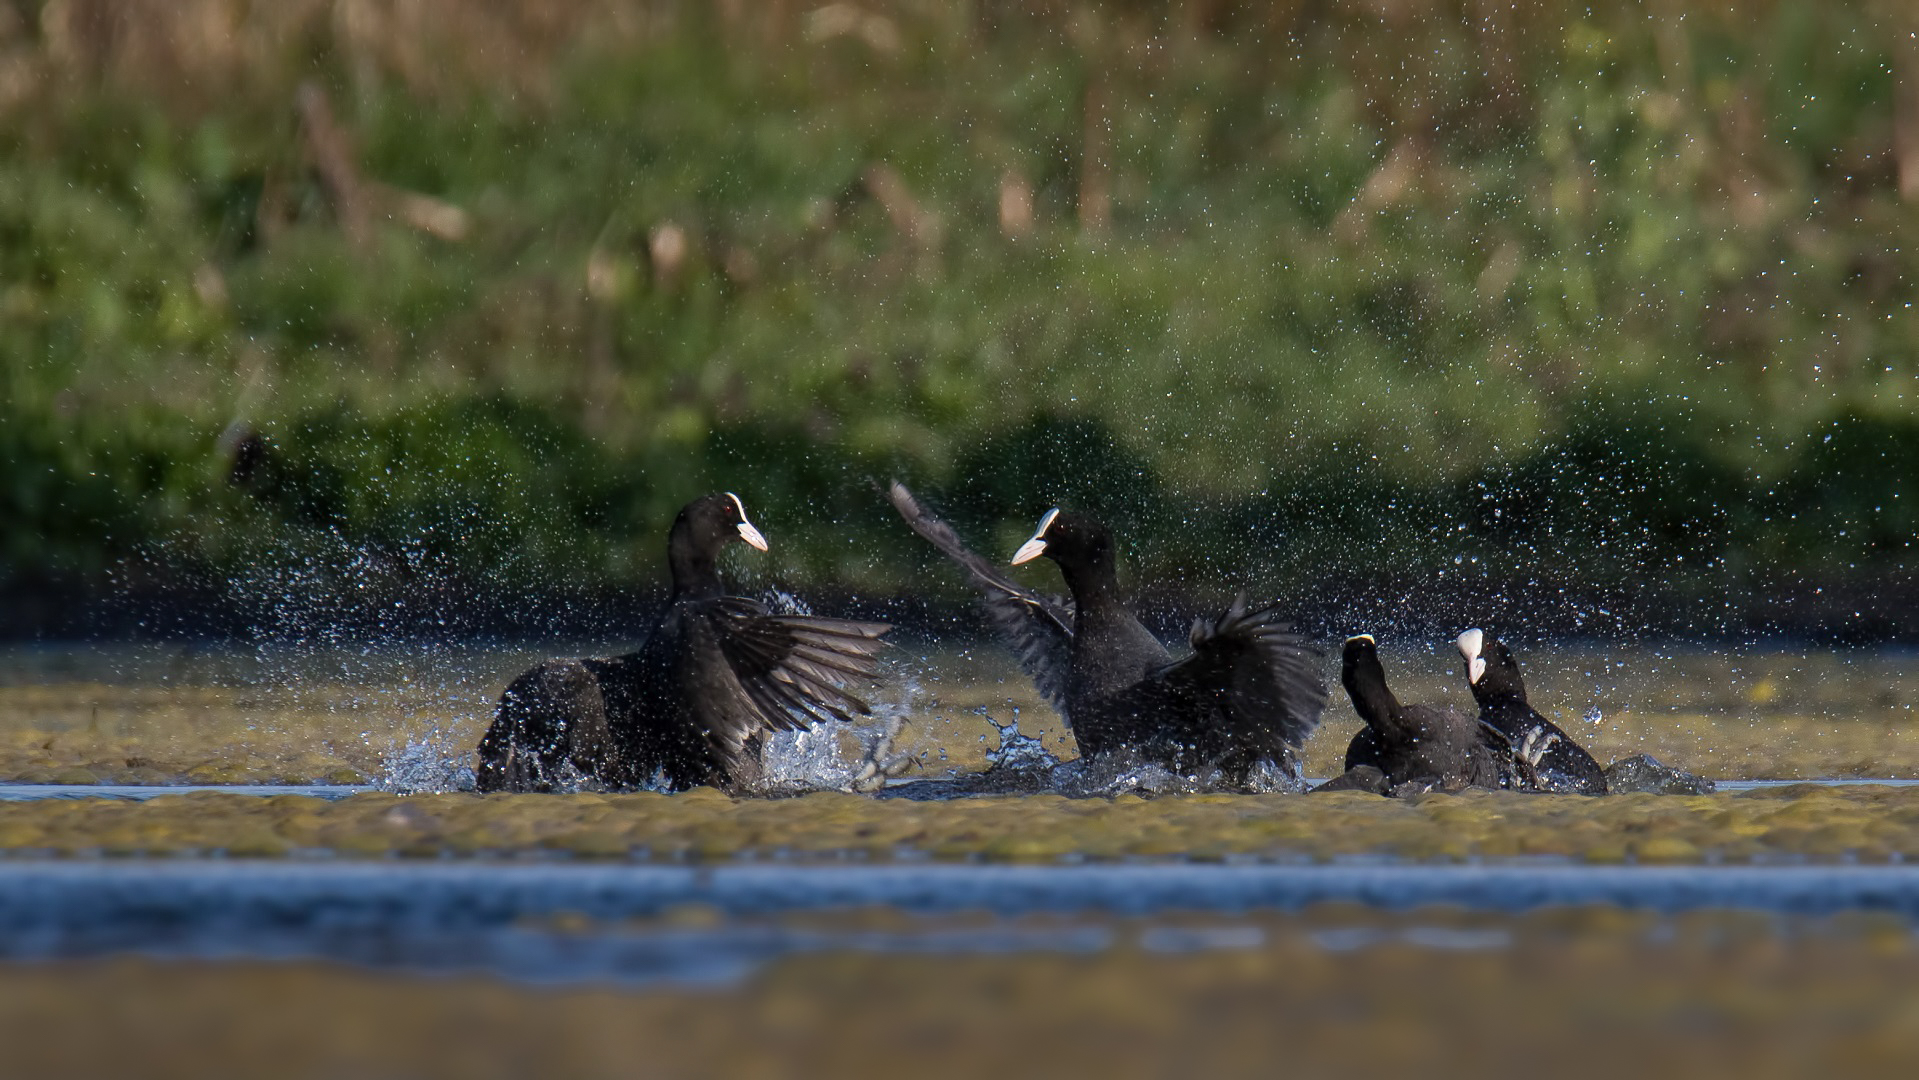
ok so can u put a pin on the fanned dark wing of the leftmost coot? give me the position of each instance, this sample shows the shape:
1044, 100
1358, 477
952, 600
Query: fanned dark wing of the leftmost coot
788, 672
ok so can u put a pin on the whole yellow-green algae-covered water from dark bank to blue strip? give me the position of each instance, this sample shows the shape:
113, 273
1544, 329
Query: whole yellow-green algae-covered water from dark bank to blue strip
406, 718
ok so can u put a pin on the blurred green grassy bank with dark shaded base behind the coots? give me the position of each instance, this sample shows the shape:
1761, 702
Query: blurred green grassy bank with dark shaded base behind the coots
1613, 298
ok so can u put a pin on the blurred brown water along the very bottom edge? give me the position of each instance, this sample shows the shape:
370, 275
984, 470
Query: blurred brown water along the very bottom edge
1327, 993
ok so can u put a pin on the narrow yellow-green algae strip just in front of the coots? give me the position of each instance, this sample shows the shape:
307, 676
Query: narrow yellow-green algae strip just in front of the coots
1868, 824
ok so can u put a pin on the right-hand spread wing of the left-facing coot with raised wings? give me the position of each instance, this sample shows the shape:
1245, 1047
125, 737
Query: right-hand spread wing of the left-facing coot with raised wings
1260, 674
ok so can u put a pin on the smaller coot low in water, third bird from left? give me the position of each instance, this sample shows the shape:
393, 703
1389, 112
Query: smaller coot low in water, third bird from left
1421, 747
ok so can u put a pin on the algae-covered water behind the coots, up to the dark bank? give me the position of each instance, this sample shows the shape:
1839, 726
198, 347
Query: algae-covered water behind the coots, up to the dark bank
156, 715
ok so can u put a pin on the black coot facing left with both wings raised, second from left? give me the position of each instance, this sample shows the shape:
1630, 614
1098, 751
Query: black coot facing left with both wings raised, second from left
1248, 695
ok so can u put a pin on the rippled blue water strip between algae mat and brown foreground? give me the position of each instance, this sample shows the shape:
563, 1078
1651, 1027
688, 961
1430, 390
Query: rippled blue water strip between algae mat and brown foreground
642, 926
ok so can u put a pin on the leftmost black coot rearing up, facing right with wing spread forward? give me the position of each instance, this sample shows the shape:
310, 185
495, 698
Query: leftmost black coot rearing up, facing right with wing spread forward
698, 701
